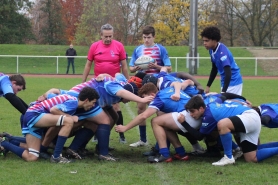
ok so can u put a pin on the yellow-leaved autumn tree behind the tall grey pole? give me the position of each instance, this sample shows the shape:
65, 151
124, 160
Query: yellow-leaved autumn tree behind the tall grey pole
172, 21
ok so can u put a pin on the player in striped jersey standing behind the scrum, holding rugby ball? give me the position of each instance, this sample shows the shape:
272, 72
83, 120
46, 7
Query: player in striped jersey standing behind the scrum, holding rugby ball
160, 54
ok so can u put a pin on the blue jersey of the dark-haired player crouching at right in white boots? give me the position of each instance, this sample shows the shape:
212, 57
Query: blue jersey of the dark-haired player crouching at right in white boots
216, 111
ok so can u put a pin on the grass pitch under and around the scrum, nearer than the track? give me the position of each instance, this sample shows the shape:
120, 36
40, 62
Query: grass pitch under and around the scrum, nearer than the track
132, 167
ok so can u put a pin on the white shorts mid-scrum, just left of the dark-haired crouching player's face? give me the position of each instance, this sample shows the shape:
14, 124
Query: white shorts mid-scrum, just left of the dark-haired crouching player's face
191, 121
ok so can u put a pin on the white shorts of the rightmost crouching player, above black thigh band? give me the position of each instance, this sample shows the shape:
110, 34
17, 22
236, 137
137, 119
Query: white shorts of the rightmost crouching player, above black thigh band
252, 123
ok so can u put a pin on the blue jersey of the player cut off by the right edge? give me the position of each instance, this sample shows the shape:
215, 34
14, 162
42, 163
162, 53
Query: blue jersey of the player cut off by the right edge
270, 110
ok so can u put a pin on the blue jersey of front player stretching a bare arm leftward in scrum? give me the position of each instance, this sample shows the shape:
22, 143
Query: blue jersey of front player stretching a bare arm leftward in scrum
163, 102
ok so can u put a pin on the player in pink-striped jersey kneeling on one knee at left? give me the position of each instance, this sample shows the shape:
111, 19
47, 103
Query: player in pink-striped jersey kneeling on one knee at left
57, 111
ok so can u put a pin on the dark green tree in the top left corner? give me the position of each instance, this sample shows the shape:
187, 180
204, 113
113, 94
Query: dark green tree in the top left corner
15, 27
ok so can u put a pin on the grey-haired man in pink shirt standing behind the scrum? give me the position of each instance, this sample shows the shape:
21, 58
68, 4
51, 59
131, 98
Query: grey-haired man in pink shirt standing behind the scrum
109, 57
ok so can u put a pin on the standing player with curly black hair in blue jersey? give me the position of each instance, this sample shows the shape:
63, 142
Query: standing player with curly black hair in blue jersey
222, 62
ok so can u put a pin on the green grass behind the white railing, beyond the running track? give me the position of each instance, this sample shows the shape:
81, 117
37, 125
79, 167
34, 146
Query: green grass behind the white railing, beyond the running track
48, 65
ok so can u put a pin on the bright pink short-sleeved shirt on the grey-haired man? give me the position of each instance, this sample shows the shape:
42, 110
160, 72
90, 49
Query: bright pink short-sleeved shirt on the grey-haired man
107, 58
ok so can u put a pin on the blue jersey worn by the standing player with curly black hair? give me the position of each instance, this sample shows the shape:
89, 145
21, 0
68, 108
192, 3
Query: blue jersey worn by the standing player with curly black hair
223, 57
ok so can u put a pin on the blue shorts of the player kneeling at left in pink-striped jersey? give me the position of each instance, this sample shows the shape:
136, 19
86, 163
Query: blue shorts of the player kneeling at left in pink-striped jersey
29, 120
